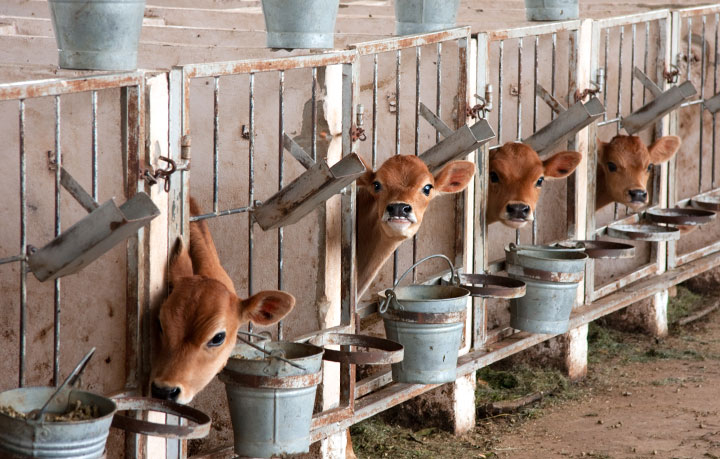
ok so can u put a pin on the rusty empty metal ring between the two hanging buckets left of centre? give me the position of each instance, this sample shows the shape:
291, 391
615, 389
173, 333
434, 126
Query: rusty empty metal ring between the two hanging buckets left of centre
388, 351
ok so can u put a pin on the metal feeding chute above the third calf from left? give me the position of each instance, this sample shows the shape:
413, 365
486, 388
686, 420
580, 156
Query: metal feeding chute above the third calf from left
568, 122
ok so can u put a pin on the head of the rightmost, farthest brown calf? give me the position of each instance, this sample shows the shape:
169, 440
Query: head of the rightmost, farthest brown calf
624, 166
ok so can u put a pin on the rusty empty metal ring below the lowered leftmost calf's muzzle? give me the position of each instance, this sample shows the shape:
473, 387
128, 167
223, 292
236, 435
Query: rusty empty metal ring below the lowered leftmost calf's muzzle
199, 428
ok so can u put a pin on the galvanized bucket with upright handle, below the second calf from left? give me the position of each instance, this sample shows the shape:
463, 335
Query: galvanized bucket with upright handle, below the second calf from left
428, 321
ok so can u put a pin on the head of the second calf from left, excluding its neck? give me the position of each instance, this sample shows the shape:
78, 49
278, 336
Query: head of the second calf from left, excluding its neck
401, 189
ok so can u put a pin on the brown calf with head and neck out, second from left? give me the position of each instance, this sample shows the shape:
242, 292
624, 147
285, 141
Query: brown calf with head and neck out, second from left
391, 203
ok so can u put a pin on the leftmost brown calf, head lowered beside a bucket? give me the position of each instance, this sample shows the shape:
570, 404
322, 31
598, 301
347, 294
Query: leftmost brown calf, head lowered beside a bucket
198, 323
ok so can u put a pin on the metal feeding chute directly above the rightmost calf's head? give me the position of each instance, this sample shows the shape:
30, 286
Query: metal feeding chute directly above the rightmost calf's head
664, 103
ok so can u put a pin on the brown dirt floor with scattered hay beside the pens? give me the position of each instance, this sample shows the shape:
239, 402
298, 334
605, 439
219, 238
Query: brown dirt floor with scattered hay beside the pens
643, 398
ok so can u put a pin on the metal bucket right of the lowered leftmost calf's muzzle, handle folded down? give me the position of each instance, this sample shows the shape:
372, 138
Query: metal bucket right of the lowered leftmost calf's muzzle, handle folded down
271, 402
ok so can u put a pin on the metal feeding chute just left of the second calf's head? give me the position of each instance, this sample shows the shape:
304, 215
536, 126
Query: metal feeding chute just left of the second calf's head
316, 185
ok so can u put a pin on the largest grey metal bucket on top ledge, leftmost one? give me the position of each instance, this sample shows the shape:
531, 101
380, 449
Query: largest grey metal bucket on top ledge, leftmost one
97, 34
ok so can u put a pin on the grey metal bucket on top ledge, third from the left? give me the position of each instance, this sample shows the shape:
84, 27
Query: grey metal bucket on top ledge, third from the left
422, 16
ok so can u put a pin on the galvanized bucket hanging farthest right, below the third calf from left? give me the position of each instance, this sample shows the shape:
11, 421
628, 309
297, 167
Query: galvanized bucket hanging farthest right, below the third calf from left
551, 277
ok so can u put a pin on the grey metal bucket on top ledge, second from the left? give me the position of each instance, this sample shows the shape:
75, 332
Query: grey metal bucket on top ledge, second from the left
300, 24
